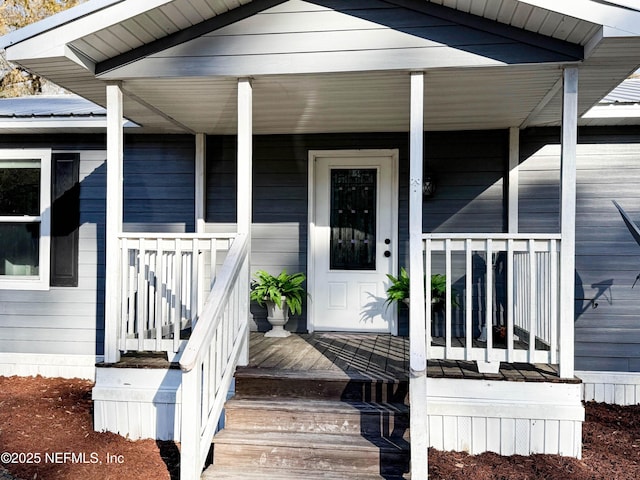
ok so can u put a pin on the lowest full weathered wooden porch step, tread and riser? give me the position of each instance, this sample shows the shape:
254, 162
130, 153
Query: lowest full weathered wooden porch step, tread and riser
349, 454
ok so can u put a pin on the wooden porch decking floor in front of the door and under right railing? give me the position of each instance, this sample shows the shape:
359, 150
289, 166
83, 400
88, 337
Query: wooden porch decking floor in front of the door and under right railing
375, 355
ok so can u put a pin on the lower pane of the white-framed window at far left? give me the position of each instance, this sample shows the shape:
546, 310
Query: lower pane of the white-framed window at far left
19, 249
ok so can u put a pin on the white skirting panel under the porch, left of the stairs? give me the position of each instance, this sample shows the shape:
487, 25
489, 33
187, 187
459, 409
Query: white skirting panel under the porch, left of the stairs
138, 403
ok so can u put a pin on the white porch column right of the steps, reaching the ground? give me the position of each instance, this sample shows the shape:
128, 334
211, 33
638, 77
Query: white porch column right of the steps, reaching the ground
417, 328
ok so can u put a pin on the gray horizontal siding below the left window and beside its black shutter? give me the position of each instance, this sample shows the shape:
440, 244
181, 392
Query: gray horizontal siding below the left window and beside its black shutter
65, 320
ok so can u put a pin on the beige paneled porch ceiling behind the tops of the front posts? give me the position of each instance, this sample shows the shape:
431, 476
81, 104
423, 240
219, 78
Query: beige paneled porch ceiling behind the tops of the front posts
353, 102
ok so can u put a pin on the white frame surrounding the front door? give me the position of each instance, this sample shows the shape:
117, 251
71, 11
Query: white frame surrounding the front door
393, 155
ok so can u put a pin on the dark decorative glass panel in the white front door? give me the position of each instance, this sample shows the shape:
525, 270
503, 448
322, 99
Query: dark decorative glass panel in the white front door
353, 219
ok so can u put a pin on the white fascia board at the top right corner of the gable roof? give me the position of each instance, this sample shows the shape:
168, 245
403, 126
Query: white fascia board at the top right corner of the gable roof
618, 18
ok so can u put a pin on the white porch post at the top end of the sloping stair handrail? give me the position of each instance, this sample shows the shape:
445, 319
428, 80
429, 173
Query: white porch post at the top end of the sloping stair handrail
245, 171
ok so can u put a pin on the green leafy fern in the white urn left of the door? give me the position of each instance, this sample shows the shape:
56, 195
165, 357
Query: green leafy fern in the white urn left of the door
267, 287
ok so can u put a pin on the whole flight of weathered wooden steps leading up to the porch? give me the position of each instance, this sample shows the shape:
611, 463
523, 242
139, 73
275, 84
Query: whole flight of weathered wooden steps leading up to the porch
285, 424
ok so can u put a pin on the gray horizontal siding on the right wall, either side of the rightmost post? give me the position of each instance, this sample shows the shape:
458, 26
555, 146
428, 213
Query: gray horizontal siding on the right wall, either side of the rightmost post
607, 257
